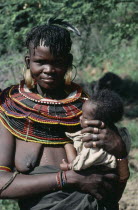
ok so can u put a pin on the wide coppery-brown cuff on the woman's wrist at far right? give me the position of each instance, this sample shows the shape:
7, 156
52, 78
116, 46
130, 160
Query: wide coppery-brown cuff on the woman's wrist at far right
123, 170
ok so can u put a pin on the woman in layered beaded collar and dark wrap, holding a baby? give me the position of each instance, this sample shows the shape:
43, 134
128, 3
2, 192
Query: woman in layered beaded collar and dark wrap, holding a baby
34, 118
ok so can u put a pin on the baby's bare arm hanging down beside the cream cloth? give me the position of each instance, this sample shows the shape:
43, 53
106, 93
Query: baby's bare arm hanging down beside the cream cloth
71, 155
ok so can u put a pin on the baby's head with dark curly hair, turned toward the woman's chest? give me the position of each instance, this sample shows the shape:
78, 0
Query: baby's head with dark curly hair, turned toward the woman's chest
106, 106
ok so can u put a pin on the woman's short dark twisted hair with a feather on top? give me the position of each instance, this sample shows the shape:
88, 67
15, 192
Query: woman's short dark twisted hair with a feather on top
55, 35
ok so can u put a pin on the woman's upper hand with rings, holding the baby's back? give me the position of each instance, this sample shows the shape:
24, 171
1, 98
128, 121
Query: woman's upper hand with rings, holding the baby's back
104, 137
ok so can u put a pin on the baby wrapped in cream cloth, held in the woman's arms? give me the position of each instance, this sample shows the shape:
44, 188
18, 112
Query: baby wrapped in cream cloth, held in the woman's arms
107, 107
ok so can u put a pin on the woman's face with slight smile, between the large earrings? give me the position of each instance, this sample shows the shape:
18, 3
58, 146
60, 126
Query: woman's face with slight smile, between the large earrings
47, 70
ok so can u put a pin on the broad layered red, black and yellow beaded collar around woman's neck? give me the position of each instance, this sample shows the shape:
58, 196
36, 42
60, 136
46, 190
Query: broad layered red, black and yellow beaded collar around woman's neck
31, 117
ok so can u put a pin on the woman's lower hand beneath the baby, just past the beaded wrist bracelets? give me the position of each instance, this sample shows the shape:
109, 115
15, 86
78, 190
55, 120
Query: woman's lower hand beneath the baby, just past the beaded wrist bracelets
94, 183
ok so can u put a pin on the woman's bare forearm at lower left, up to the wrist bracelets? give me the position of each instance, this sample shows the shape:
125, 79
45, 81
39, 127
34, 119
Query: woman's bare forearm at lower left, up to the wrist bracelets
27, 185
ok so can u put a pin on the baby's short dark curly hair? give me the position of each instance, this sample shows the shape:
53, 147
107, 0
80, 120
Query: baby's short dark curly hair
109, 106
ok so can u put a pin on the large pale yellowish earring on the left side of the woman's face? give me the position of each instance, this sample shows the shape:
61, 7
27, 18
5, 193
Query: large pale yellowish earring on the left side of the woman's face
29, 81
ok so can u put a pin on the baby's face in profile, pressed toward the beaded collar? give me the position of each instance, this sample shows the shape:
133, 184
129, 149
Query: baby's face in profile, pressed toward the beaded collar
88, 110
